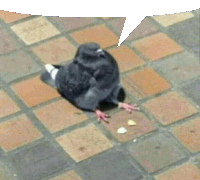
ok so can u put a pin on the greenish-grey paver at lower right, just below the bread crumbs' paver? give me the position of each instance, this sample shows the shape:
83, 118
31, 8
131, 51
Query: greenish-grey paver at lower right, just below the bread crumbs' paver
156, 152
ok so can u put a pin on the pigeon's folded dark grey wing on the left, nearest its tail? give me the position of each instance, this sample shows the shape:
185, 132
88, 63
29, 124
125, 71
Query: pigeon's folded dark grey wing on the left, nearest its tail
76, 85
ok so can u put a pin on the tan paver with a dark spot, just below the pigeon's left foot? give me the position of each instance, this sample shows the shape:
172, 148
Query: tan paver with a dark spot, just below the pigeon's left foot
84, 142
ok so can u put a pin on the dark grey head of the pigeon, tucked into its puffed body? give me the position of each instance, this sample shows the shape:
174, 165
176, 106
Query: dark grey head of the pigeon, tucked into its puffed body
90, 50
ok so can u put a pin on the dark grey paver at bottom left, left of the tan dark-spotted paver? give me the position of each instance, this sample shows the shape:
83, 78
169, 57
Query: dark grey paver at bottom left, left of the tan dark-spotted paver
39, 161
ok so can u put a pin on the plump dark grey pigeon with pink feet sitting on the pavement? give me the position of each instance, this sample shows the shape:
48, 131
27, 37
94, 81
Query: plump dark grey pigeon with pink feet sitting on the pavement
92, 77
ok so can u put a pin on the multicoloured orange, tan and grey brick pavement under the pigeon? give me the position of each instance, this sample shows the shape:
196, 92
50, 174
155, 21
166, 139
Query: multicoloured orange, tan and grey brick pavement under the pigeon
42, 136
